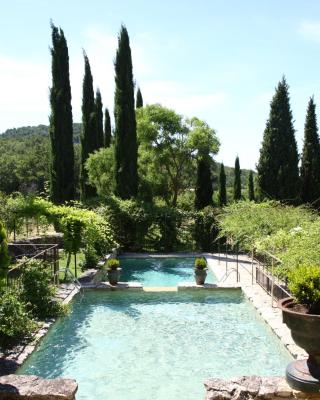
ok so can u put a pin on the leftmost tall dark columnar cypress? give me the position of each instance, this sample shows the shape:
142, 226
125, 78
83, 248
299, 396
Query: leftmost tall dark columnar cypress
62, 181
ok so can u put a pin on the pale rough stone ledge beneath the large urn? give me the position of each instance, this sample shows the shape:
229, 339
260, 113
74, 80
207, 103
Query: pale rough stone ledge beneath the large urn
253, 388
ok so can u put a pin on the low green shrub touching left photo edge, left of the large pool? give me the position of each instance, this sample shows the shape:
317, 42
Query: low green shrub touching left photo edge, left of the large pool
15, 321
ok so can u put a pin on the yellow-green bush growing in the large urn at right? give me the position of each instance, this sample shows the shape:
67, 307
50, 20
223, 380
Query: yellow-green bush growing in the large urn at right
304, 284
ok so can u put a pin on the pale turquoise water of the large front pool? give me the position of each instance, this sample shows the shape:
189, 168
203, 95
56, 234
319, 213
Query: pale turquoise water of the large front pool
159, 346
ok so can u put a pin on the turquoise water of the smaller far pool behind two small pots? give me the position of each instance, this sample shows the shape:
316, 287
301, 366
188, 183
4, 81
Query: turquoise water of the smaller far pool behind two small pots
159, 271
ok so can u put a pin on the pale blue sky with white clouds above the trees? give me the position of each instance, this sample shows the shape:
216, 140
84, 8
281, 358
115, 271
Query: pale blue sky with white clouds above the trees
217, 60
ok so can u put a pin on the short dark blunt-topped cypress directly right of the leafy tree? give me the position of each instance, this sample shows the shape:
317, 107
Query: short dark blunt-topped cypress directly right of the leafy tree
204, 190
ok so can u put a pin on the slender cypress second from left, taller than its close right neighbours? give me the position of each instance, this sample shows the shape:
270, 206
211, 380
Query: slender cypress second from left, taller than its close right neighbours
88, 133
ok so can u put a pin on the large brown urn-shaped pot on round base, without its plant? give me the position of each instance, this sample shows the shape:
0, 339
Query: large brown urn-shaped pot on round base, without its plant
305, 331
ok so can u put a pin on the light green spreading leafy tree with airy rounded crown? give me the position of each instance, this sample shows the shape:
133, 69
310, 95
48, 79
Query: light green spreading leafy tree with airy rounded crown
168, 147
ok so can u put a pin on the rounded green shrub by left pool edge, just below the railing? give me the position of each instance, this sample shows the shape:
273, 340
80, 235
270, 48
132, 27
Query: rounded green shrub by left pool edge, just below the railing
38, 291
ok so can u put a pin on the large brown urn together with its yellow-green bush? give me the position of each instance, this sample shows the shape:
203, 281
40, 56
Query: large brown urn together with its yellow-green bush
301, 313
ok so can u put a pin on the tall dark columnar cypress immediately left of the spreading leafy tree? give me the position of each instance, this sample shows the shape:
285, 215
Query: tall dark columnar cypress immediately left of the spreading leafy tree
126, 148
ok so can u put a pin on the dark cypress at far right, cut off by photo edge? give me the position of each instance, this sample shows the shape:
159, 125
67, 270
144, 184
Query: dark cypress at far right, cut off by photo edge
310, 163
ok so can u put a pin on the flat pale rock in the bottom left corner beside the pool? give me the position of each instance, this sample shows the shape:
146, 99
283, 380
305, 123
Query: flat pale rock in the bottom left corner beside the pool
31, 387
